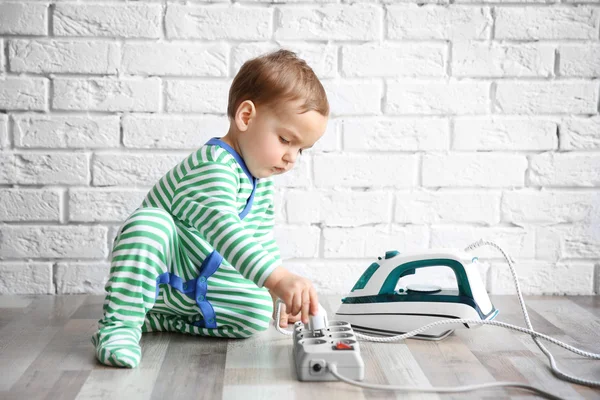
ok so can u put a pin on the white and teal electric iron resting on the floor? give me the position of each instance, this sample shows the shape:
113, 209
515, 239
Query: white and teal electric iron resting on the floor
378, 306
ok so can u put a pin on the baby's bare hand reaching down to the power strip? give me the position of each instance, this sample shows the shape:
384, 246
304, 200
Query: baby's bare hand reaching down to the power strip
297, 293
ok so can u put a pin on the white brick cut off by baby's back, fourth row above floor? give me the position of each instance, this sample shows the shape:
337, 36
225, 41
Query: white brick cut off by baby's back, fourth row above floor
133, 169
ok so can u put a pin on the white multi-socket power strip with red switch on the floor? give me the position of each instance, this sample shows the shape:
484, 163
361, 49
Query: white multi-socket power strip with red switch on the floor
315, 350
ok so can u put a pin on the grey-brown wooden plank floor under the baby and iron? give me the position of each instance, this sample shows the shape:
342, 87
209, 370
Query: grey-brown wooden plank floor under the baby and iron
46, 353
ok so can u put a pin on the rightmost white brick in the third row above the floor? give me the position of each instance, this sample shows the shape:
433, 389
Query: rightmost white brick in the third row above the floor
550, 207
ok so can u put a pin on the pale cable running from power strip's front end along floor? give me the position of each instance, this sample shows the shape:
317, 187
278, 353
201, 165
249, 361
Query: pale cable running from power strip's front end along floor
449, 389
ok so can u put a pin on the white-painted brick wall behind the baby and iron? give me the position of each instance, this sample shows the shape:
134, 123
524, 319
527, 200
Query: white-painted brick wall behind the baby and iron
450, 121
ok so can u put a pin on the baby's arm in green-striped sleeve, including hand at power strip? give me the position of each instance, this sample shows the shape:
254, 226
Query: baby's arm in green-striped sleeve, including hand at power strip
205, 198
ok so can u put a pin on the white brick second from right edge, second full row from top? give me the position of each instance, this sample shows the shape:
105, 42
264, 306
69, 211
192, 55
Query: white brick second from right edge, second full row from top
494, 59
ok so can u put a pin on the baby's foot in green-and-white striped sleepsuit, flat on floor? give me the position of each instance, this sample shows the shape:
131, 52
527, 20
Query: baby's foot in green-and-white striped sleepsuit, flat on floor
118, 346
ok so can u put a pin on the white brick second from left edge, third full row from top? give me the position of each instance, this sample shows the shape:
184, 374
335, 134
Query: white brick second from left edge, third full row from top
106, 94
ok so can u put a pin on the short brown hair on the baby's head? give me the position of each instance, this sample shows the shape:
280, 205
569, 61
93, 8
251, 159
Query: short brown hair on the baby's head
276, 77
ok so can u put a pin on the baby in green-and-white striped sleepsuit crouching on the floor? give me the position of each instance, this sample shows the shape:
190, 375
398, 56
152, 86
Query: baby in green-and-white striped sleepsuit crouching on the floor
198, 256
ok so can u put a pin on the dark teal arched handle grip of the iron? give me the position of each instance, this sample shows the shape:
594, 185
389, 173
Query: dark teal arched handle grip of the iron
409, 268
